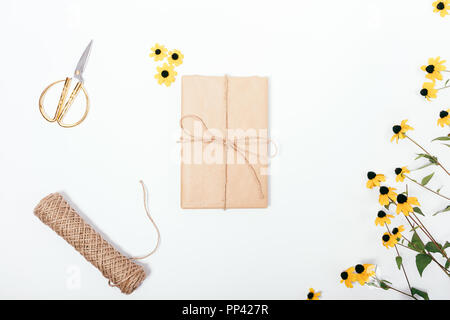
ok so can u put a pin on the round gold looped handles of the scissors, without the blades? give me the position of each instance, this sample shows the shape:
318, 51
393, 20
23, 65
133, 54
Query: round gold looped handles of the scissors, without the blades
63, 106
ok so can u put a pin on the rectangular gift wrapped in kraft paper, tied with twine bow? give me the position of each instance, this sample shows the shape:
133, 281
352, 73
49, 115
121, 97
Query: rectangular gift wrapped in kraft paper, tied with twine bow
224, 122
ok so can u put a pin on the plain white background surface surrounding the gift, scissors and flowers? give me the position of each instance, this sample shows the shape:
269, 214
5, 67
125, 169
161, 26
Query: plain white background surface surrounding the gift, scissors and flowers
341, 74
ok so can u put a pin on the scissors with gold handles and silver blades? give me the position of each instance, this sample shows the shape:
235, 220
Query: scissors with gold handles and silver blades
64, 106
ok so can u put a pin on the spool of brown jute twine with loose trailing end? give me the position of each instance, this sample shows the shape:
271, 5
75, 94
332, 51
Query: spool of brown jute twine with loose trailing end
121, 272
